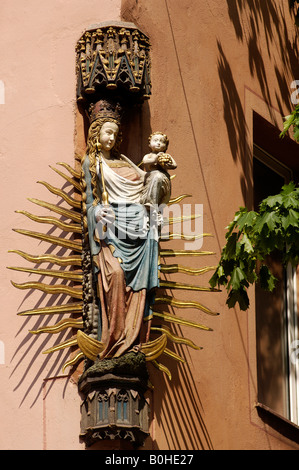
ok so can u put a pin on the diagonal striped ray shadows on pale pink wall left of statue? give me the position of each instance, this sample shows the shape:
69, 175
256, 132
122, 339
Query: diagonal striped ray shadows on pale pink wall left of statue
32, 346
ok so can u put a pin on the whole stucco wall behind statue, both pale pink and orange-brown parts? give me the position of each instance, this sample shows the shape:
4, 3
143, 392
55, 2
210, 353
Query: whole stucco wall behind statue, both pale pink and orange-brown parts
213, 65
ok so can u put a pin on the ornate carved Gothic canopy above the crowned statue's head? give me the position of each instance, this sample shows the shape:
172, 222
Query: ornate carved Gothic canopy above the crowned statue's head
113, 57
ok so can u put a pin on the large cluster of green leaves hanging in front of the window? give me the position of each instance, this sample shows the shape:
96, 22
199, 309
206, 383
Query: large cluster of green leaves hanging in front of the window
251, 237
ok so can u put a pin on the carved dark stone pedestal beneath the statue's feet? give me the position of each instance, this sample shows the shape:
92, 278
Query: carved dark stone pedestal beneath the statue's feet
113, 406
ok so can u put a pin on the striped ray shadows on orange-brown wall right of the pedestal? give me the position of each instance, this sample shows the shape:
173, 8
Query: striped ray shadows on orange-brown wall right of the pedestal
177, 404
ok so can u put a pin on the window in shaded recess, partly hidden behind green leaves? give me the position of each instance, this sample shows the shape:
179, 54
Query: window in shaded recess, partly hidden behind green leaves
277, 320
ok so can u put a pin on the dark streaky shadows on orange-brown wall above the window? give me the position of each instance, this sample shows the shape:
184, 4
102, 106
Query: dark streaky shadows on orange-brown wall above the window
255, 24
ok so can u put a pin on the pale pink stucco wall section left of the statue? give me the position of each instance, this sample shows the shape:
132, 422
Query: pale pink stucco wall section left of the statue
37, 122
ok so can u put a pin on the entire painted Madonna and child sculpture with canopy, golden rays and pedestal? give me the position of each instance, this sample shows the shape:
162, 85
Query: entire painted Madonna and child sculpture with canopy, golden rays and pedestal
114, 263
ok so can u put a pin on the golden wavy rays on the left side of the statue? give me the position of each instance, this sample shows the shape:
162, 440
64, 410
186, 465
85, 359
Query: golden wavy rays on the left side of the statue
65, 281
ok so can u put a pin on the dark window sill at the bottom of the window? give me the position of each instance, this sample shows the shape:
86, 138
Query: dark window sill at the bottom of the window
282, 425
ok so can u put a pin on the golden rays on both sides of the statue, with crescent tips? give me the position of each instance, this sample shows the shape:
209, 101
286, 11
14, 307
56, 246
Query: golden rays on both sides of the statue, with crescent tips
68, 280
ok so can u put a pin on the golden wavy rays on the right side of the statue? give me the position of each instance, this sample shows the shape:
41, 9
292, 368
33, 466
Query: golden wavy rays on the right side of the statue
164, 320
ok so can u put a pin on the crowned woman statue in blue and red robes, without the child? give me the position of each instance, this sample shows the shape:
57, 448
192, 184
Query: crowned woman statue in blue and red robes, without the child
121, 240
